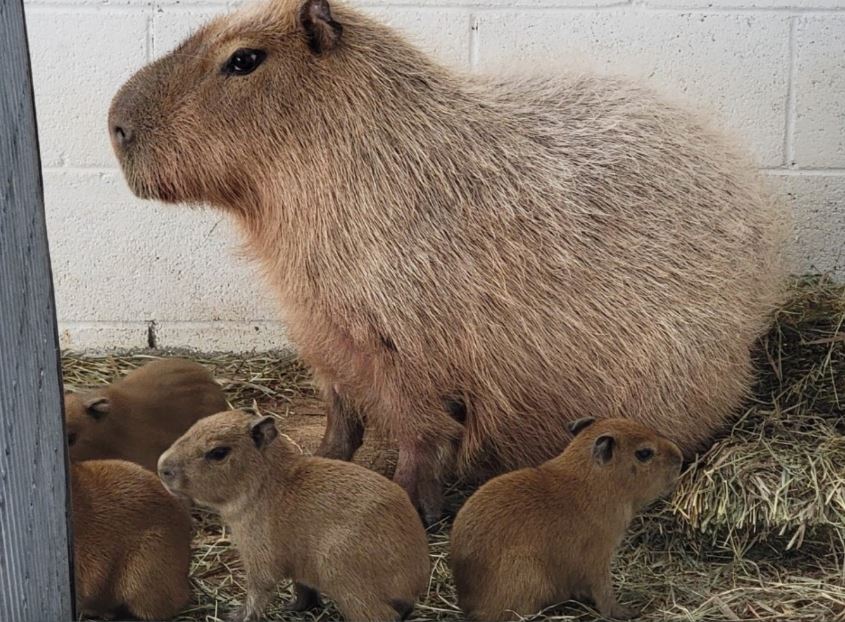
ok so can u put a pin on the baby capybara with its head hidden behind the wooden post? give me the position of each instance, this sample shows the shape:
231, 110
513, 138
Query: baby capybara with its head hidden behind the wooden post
131, 543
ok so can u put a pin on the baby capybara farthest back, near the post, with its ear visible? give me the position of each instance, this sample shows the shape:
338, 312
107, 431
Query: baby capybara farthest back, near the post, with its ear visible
140, 415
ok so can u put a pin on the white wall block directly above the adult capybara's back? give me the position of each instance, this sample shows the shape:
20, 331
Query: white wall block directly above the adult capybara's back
735, 65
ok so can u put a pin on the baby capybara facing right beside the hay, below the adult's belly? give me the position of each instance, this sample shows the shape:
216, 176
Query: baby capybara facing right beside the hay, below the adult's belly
543, 535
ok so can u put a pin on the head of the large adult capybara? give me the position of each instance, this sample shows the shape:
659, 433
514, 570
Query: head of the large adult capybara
206, 121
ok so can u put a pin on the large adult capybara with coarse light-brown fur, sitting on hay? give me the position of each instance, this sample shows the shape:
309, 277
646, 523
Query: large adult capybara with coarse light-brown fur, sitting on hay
466, 263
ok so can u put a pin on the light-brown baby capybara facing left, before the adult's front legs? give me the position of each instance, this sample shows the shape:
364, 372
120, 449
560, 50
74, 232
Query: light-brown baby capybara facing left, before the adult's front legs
331, 526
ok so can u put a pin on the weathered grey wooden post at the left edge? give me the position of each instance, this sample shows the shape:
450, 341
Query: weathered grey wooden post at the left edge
35, 559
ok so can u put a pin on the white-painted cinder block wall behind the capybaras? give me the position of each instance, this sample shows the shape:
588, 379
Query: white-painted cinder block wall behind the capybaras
131, 274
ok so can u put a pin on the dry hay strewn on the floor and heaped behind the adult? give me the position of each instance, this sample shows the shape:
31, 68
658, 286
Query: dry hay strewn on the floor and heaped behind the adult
756, 530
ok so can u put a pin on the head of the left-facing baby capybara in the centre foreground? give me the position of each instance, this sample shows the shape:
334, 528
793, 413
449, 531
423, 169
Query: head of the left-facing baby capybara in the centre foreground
216, 460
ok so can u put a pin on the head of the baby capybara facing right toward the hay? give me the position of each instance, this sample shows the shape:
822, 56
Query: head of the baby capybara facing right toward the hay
634, 459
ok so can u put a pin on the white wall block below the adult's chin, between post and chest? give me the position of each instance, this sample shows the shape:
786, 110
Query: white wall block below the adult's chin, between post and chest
119, 259
